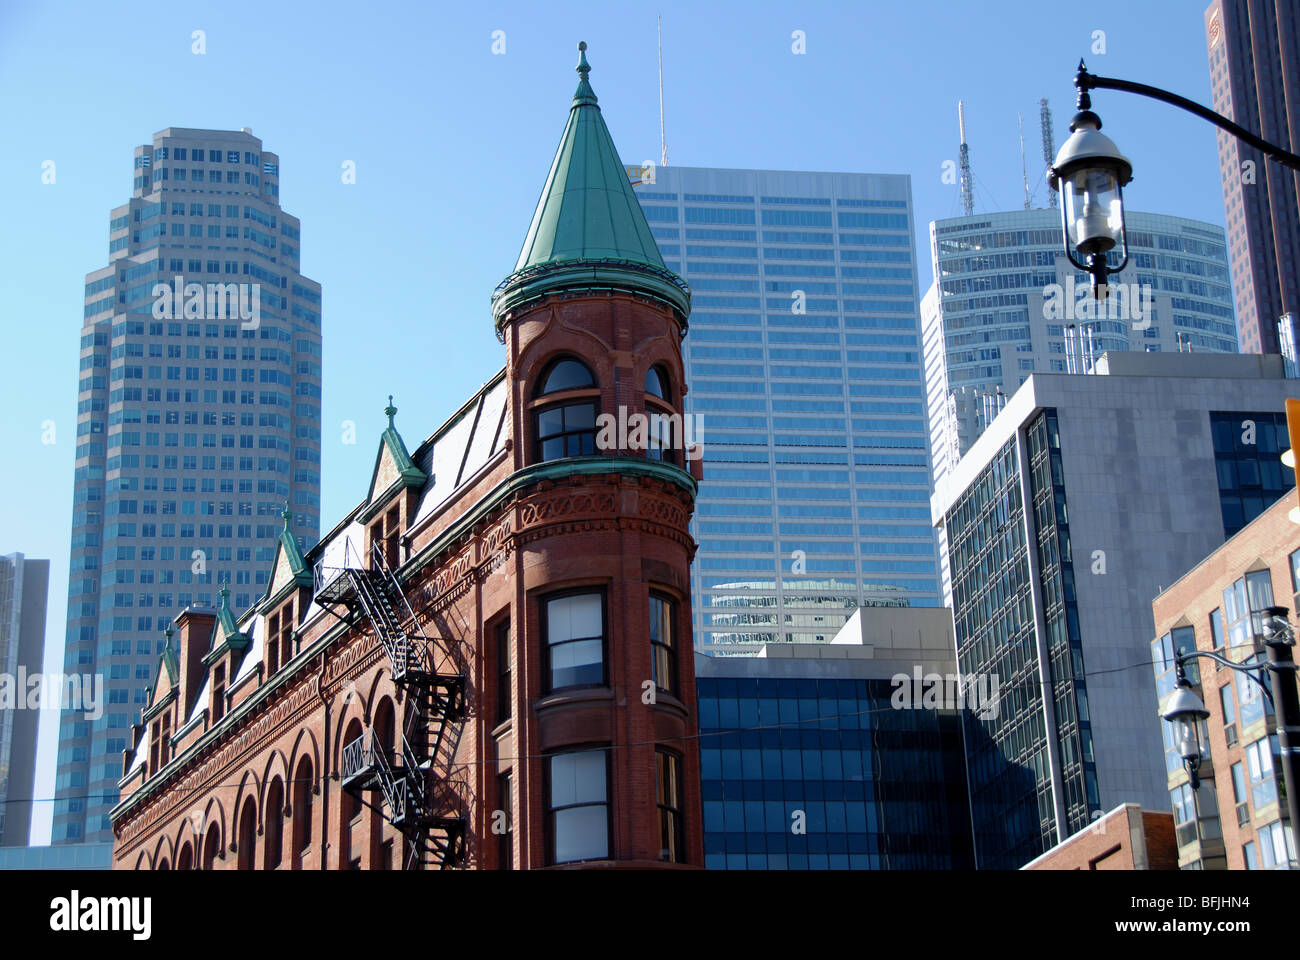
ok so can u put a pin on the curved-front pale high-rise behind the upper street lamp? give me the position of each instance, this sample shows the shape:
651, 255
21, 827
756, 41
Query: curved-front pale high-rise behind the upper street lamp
1006, 299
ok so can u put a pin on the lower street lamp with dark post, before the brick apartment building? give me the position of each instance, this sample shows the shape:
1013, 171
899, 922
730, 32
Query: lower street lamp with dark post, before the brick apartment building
1186, 711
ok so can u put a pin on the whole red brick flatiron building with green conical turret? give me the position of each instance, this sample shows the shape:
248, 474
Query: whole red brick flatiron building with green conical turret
487, 664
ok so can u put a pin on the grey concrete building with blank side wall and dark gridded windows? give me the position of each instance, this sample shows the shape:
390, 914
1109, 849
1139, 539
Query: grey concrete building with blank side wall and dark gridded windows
1082, 500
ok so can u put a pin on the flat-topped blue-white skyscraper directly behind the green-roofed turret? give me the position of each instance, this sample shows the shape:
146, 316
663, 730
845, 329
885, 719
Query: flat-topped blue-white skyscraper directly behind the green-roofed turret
805, 375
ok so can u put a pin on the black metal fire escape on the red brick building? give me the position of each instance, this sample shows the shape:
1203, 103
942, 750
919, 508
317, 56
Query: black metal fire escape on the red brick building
410, 777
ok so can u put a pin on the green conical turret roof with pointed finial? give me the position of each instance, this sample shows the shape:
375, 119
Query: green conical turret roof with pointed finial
590, 231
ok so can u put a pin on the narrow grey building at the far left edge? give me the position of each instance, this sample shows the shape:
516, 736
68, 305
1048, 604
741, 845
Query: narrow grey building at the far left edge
24, 589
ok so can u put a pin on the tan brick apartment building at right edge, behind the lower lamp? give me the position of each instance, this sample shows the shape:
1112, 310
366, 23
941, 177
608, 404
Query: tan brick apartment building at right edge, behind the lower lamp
1238, 816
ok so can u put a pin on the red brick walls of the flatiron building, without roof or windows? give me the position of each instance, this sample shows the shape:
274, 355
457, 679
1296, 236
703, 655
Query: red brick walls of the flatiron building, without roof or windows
479, 561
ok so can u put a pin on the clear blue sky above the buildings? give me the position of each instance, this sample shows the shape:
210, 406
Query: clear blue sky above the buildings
452, 145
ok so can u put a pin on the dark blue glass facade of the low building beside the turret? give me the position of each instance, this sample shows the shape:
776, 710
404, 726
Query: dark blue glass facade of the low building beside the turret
814, 775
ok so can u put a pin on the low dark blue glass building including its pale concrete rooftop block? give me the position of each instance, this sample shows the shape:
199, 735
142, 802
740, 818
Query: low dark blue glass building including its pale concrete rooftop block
814, 730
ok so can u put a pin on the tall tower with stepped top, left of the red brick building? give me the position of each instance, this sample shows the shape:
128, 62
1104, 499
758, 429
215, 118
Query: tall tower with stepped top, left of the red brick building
198, 423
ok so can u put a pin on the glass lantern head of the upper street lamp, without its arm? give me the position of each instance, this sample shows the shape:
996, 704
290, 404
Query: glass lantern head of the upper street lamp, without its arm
1090, 174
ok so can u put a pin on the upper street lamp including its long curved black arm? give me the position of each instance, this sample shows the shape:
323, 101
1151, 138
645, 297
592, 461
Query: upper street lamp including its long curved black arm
1090, 172
